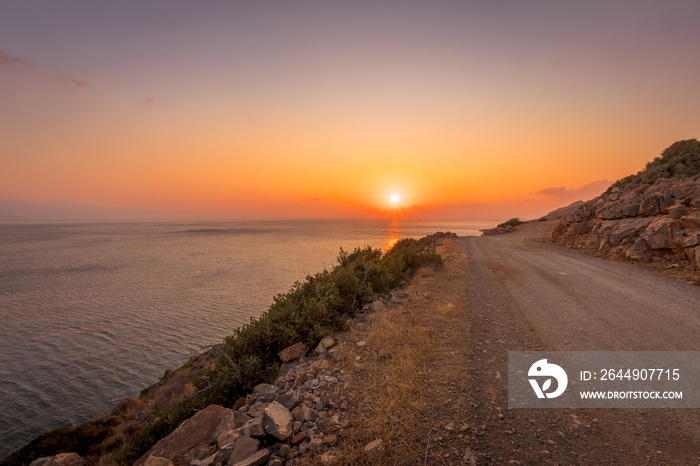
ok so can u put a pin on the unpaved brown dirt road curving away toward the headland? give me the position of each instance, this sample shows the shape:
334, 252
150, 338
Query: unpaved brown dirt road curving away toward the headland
526, 295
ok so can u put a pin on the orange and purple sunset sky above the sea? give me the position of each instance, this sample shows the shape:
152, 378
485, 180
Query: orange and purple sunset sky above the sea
327, 109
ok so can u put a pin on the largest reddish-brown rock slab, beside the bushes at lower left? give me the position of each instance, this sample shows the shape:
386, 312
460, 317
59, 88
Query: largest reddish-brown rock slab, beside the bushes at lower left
195, 439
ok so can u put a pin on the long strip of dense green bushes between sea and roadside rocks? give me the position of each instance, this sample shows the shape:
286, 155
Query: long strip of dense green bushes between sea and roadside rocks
310, 311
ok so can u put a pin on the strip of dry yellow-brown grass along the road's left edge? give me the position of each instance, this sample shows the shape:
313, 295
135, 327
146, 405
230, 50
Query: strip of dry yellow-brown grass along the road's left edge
406, 367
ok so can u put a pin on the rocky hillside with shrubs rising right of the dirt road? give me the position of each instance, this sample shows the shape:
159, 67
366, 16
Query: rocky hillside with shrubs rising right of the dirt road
651, 216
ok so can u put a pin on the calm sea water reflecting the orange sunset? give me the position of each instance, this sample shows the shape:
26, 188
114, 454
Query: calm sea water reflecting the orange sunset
91, 313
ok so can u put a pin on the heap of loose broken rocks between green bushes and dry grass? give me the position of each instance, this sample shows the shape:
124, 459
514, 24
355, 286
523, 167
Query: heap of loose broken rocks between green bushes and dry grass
297, 417
